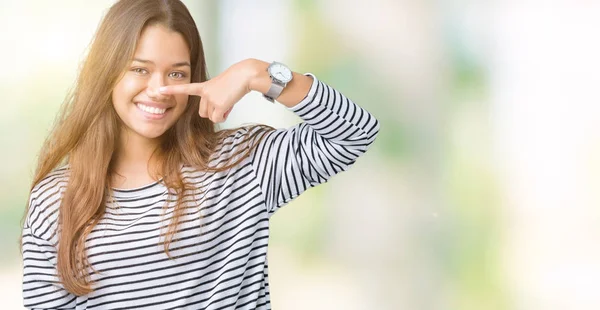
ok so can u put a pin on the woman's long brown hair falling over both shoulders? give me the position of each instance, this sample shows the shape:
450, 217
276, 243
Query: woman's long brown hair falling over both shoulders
86, 132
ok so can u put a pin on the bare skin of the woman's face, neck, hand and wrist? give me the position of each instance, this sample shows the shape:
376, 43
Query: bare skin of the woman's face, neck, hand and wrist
156, 81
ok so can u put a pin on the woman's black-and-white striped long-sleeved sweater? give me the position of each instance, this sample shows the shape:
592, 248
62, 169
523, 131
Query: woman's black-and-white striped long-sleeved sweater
219, 253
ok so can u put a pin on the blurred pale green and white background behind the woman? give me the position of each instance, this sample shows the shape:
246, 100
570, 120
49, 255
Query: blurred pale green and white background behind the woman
481, 191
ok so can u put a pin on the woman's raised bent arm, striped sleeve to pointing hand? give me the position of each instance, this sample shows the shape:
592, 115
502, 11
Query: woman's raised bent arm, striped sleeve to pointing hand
335, 131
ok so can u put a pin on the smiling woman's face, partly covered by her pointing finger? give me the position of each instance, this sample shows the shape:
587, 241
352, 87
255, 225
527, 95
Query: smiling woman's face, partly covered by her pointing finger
161, 58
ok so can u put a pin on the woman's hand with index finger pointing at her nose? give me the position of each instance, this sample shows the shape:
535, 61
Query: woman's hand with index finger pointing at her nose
219, 94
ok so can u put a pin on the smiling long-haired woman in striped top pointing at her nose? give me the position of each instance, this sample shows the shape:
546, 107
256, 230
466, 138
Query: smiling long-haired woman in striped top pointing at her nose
138, 202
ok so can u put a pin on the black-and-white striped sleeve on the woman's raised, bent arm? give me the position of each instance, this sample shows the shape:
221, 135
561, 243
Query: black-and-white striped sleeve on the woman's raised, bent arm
334, 133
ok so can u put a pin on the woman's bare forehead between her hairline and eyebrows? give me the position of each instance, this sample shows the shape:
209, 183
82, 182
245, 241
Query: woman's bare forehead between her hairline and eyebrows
162, 45
